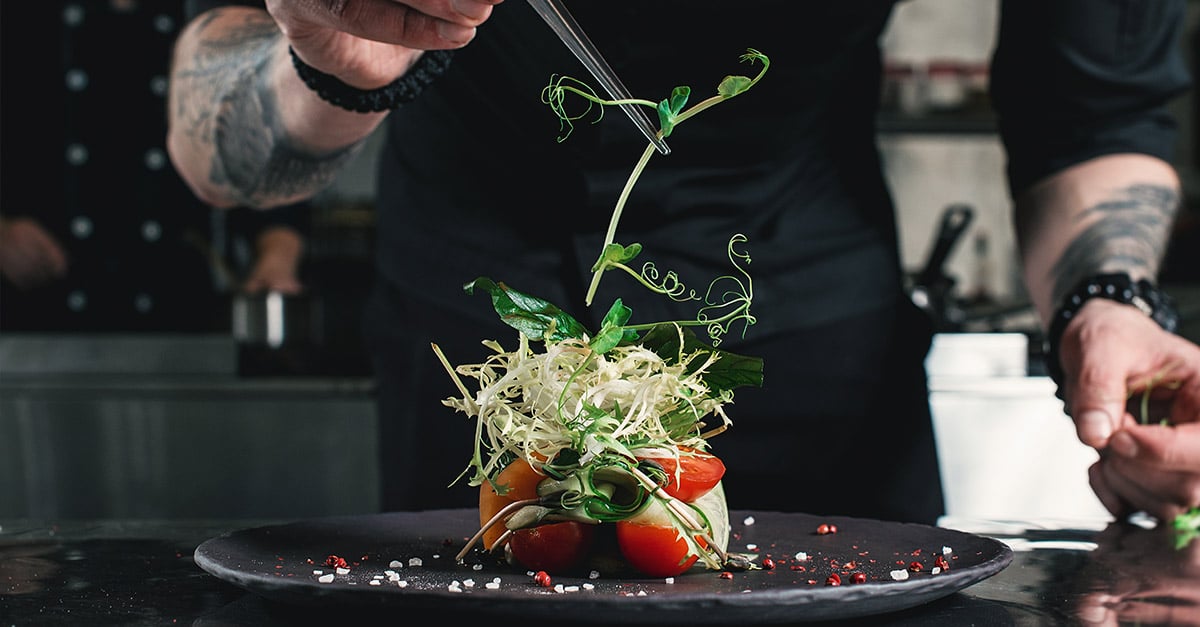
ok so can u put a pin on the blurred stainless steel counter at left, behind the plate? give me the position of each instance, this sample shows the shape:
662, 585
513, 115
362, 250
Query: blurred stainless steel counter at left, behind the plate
165, 429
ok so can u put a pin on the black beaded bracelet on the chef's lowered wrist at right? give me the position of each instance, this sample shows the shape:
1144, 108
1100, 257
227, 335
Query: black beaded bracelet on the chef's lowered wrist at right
1119, 288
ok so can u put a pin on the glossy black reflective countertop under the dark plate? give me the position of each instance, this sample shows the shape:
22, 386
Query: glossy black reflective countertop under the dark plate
142, 572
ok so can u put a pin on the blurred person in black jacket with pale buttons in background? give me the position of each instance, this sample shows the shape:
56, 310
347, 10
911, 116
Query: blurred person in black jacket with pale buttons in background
113, 241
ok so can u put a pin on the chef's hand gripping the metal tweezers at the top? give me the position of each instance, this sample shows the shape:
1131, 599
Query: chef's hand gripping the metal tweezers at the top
369, 44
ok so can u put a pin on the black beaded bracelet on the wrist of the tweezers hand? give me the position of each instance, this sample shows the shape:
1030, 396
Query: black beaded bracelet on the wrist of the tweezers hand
429, 68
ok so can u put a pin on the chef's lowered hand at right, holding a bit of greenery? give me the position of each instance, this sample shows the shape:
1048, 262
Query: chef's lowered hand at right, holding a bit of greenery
1112, 356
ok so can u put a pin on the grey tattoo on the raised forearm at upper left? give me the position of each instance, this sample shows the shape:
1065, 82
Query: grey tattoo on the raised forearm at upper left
254, 158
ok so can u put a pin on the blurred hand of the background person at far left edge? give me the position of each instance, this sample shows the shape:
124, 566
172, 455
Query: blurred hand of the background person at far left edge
29, 255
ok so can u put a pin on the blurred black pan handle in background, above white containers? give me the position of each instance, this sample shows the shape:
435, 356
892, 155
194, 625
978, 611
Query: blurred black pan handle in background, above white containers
932, 289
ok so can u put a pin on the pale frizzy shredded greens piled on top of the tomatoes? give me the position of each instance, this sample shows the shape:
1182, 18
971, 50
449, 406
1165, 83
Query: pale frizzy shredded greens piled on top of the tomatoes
536, 404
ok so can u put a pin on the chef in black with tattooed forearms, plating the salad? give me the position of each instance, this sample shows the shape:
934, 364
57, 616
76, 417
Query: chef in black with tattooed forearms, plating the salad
269, 103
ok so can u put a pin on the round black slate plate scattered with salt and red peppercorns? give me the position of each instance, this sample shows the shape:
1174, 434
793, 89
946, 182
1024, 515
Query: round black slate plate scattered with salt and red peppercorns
280, 563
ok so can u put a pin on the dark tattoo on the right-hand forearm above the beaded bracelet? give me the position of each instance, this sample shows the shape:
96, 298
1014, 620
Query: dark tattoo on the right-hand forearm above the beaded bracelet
1130, 236
